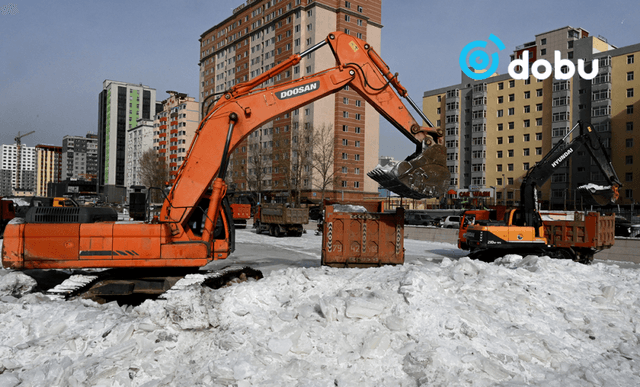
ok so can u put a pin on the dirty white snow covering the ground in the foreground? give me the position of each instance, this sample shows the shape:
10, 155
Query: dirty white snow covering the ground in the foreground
441, 319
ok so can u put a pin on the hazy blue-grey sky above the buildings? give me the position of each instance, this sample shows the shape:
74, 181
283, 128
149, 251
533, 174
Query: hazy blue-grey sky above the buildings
54, 55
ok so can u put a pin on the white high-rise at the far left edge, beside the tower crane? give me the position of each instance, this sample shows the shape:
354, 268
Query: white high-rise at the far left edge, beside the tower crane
9, 169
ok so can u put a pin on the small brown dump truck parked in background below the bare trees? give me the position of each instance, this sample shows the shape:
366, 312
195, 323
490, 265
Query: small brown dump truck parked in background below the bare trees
280, 219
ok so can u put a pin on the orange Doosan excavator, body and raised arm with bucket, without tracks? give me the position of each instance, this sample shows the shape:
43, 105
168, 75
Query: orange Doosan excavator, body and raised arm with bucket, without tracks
195, 225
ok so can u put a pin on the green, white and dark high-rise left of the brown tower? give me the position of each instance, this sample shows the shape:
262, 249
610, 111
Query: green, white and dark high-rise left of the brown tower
120, 105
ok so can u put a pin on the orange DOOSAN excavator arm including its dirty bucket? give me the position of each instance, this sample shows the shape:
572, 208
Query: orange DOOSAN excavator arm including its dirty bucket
245, 107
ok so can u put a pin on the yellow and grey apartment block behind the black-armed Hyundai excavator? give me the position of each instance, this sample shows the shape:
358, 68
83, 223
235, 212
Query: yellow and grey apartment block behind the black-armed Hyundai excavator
498, 128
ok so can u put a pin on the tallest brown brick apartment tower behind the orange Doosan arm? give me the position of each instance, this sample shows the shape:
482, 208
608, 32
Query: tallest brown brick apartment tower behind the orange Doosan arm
277, 158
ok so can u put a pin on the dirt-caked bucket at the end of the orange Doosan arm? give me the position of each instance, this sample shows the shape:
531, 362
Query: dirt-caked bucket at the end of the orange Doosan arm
422, 175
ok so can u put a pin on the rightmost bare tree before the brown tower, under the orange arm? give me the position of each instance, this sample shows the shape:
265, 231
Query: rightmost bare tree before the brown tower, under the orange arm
323, 158
